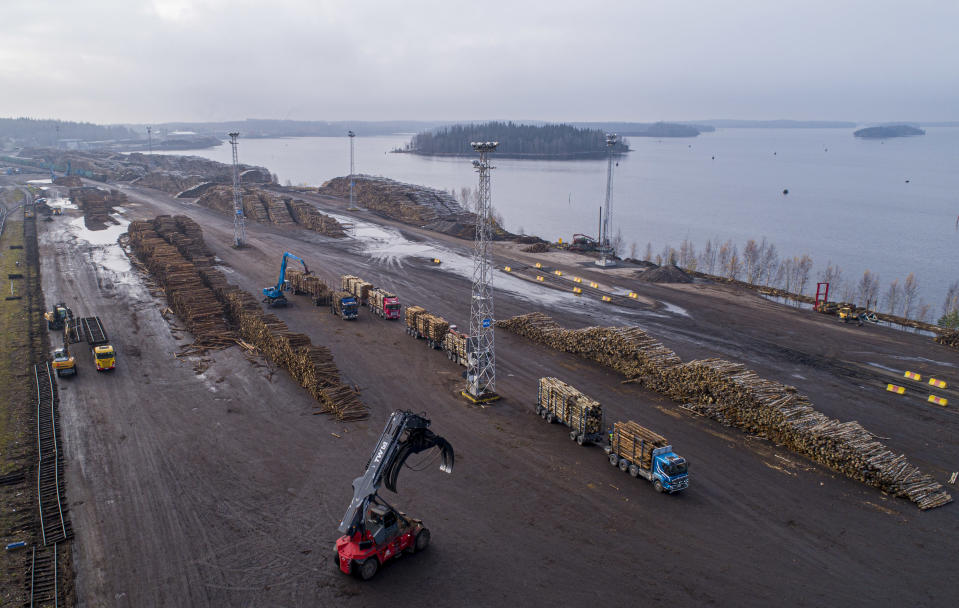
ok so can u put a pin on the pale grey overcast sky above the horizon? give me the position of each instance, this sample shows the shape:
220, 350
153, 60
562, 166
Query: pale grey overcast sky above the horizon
151, 61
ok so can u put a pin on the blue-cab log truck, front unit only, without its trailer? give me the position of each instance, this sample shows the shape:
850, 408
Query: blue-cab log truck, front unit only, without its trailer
642, 453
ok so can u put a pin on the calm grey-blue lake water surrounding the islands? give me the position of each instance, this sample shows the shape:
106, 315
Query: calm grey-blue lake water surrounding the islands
849, 201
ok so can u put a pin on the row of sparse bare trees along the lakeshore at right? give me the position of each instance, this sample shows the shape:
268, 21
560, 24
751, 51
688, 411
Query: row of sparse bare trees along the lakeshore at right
759, 263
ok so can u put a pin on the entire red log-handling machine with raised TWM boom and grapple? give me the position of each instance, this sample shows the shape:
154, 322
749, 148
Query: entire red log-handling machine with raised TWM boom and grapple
374, 531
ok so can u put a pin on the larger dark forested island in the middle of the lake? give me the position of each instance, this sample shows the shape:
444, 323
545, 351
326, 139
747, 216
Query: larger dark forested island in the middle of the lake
515, 141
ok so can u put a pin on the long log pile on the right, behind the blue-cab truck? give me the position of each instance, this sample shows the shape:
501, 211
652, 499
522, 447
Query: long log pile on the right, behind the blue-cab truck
735, 395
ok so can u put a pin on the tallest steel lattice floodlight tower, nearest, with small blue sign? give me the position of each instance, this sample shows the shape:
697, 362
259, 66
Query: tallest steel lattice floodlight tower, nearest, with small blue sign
481, 372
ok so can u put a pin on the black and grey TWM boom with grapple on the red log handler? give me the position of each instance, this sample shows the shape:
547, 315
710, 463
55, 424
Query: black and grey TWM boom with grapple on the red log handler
405, 434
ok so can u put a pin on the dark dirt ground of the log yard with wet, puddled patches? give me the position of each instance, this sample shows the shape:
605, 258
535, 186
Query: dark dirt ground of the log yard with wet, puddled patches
207, 481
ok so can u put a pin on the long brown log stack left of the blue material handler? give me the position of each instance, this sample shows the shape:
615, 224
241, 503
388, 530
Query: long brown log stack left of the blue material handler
202, 297
